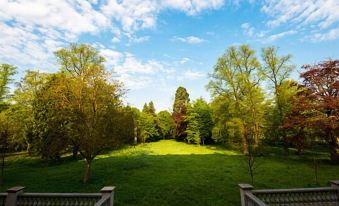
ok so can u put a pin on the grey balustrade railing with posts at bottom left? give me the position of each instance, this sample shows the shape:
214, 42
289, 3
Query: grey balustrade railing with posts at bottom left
16, 197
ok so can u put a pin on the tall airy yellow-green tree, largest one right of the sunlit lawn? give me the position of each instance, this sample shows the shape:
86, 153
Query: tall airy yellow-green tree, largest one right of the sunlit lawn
236, 76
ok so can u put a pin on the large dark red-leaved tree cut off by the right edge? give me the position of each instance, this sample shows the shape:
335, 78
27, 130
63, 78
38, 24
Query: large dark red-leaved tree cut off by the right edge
322, 80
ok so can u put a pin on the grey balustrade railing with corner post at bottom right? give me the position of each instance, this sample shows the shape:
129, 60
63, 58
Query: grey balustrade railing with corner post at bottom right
326, 196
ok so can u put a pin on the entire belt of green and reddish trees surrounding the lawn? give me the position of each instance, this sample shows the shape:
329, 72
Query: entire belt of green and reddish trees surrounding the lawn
79, 110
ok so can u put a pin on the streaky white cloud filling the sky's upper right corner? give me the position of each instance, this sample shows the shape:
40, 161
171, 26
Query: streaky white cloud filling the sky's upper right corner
320, 17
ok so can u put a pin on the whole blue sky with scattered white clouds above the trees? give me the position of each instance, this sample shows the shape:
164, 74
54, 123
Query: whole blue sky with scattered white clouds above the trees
155, 46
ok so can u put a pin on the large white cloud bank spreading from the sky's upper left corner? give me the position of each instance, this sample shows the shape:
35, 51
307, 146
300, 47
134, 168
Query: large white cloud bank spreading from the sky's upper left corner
31, 30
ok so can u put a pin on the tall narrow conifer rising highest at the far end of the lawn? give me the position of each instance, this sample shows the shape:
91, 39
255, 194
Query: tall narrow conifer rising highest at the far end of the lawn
179, 113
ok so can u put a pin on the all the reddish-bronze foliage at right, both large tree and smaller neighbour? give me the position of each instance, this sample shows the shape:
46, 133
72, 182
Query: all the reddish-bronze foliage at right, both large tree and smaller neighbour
316, 107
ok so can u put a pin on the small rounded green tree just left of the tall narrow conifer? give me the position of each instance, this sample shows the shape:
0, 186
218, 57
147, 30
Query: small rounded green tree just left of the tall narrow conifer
166, 124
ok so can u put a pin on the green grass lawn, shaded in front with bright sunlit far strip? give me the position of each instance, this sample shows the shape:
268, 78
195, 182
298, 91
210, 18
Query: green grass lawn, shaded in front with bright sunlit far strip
166, 173
